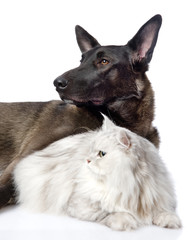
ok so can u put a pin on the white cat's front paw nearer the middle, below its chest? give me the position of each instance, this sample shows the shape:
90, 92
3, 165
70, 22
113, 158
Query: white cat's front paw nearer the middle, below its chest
121, 222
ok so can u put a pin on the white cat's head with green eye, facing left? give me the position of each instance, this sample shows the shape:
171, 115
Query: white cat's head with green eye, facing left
109, 147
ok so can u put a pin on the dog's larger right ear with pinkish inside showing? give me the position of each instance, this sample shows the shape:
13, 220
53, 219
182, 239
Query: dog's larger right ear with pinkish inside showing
143, 43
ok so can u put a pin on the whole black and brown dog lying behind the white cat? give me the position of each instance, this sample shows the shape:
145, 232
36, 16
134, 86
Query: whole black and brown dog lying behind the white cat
110, 79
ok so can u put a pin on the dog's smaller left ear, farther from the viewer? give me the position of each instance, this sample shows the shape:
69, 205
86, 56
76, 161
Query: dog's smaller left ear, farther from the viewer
85, 40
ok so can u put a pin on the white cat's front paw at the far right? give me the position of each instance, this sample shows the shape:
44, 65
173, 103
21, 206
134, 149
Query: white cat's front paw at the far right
167, 220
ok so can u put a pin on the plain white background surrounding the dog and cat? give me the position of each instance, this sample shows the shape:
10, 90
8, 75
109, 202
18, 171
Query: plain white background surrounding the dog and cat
37, 44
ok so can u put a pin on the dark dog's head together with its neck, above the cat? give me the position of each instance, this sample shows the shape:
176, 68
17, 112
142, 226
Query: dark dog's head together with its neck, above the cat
113, 79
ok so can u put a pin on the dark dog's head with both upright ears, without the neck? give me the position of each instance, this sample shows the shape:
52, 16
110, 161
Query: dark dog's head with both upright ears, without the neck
109, 72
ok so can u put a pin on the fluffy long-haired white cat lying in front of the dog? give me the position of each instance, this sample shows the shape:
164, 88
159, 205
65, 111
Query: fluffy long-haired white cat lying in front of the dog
111, 176
